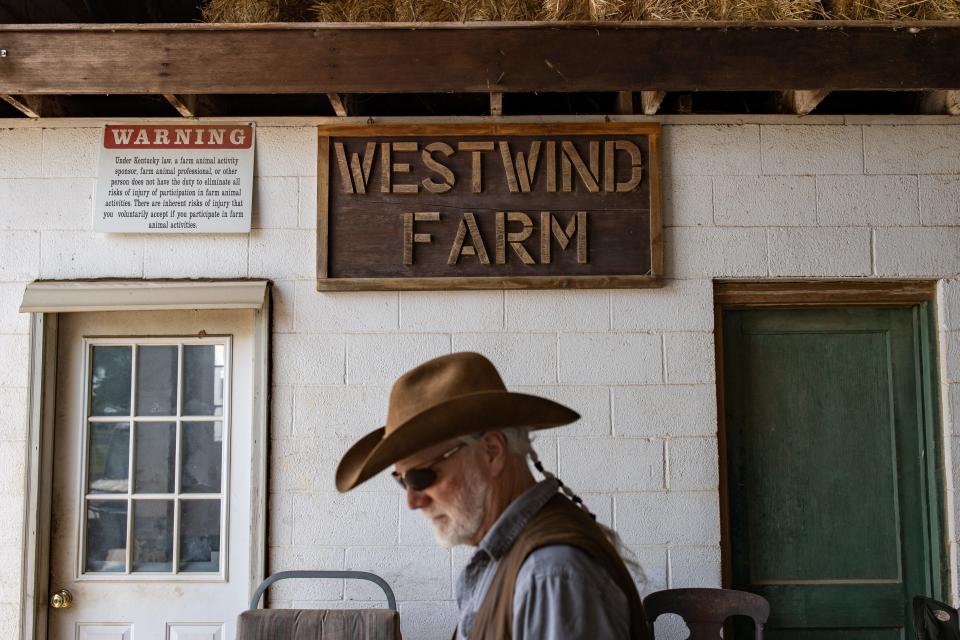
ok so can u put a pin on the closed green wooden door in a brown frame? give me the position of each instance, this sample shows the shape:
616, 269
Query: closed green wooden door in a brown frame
829, 487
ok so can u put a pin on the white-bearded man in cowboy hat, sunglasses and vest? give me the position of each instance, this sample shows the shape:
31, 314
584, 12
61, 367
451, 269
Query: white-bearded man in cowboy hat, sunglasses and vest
543, 568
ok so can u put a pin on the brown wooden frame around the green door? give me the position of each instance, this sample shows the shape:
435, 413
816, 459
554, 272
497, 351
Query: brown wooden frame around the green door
819, 293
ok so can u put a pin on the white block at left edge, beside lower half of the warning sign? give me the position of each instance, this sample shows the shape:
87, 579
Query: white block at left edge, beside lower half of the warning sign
45, 204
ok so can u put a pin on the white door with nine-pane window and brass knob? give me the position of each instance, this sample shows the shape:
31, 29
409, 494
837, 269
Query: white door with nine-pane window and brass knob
151, 489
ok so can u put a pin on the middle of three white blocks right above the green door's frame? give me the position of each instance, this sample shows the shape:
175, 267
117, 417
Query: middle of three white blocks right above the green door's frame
826, 251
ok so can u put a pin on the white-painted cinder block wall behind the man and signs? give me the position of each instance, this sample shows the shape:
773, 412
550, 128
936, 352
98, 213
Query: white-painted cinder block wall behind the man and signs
768, 197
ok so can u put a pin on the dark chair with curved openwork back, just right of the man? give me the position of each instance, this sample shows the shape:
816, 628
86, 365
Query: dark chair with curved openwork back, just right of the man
705, 610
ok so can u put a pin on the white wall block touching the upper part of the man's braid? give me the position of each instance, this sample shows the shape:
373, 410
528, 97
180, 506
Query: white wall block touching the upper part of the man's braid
612, 464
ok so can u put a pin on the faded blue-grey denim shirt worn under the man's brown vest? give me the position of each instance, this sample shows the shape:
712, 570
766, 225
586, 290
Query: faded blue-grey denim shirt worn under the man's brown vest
560, 592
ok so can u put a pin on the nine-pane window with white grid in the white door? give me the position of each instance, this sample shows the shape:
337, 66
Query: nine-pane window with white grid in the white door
114, 503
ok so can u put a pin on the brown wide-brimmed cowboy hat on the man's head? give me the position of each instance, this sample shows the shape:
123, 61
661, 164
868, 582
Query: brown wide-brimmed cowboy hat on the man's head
447, 397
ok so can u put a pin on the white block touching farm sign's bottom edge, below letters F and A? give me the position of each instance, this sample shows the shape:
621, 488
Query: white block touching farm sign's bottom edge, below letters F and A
451, 311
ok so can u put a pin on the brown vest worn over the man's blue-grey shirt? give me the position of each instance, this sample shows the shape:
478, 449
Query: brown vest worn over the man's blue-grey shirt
559, 522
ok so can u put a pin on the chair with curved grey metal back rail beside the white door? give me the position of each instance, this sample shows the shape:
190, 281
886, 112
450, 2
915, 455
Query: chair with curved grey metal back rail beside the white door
320, 624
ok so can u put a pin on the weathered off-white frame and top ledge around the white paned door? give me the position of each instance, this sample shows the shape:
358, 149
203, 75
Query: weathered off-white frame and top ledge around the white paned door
121, 295
